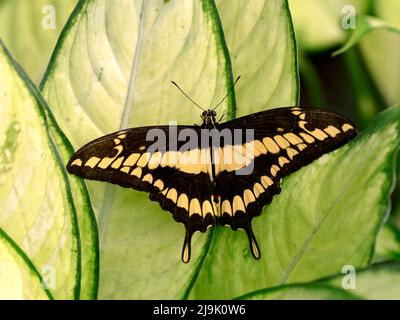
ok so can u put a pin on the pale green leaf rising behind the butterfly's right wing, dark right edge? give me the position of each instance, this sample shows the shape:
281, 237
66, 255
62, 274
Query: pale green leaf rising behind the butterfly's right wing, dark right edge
263, 51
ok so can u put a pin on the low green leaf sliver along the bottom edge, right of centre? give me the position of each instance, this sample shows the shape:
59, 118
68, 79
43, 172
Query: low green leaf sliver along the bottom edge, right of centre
313, 291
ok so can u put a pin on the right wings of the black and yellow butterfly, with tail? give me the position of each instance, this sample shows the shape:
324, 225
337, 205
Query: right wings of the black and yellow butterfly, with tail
285, 139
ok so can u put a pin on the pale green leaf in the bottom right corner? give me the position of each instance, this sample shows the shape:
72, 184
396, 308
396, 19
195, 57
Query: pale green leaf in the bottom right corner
380, 282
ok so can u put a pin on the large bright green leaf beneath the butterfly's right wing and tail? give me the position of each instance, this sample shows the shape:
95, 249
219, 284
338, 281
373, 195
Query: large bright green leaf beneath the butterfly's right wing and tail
327, 216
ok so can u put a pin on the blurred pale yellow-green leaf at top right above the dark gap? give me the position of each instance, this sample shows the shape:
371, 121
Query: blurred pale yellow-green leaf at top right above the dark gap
318, 24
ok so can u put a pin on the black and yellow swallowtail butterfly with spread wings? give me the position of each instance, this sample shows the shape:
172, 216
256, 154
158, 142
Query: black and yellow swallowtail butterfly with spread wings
208, 190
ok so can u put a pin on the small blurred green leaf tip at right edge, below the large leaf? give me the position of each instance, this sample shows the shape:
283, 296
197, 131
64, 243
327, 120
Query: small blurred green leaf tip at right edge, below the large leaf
388, 244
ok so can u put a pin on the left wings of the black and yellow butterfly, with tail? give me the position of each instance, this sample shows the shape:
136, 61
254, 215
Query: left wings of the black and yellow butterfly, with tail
178, 180
